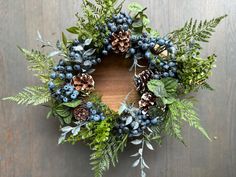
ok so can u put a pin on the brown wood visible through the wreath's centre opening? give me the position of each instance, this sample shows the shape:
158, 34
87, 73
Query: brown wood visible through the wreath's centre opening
114, 80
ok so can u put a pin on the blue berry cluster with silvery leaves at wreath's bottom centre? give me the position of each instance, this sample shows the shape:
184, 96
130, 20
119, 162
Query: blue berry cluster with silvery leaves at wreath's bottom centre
136, 122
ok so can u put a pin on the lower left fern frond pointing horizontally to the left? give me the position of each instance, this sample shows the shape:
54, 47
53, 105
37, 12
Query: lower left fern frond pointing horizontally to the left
35, 95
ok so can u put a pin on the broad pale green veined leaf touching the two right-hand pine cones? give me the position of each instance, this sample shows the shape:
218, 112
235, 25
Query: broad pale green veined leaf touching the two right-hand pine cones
157, 87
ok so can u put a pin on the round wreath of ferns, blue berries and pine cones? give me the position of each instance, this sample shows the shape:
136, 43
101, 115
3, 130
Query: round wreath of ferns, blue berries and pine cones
175, 69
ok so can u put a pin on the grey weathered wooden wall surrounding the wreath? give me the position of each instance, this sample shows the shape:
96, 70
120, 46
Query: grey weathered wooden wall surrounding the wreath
28, 142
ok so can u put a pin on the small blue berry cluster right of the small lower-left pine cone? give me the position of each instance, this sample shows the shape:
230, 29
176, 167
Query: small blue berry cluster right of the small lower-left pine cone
95, 115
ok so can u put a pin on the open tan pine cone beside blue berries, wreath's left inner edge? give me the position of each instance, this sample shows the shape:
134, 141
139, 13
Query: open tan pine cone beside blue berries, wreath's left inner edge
83, 82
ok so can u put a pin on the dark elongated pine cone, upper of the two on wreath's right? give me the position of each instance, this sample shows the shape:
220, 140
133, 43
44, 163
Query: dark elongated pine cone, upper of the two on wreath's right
142, 79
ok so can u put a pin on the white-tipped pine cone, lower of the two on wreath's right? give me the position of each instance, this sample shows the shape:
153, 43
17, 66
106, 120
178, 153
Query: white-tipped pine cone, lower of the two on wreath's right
147, 100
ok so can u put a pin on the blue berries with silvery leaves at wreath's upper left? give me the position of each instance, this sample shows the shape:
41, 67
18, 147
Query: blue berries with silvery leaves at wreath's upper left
83, 57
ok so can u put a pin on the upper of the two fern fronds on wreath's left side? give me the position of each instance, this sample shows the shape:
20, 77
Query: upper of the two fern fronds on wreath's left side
39, 63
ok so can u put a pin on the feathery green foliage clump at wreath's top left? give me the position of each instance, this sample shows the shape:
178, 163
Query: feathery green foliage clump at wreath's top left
95, 15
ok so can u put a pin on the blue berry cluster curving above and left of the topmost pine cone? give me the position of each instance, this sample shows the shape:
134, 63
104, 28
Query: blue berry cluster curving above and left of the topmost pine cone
119, 22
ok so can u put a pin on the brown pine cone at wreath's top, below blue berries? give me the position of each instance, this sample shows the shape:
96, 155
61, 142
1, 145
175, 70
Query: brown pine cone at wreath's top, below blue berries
121, 41
